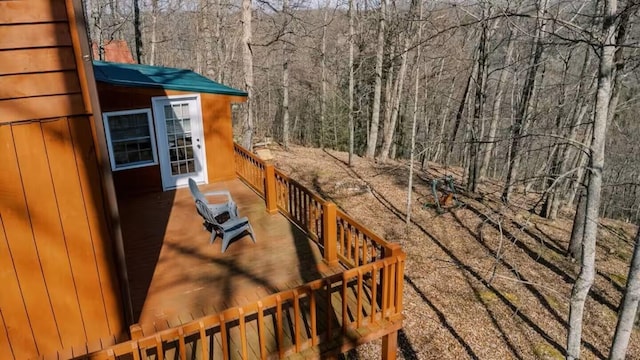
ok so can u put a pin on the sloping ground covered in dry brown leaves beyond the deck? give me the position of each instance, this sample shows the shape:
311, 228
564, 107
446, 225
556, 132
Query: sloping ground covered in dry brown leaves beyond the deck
482, 280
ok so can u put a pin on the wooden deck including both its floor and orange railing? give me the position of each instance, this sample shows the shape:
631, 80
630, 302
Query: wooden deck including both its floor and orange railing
278, 298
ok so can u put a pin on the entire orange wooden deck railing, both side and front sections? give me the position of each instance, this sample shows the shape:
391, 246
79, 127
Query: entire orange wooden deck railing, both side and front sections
330, 315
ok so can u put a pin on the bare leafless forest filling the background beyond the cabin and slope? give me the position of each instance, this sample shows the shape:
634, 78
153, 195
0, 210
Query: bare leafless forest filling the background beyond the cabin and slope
538, 95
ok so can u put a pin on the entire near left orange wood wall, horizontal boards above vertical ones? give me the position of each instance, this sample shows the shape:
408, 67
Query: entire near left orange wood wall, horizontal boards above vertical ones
59, 287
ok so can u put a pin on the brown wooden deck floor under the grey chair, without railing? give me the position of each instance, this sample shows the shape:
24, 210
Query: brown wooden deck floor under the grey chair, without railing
176, 276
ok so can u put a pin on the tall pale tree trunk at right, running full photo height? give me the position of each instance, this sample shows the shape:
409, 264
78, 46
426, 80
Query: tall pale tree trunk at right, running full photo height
587, 270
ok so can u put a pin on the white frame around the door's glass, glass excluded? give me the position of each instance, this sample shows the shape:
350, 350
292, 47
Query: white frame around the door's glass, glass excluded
161, 135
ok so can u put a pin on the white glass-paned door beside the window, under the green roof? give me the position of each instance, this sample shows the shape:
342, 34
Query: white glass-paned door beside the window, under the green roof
180, 140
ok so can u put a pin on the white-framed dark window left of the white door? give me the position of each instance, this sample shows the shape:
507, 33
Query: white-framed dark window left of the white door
130, 139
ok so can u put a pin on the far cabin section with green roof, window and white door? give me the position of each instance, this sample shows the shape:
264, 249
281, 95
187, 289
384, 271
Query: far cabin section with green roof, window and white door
165, 125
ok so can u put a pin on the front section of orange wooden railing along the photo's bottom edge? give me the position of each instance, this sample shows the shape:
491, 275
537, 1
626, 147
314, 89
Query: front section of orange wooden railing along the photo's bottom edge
374, 286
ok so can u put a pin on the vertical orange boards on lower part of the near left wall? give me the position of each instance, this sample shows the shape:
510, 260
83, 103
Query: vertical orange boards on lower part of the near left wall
62, 290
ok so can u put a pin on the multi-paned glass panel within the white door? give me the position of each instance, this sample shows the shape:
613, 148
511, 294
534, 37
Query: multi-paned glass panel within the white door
180, 145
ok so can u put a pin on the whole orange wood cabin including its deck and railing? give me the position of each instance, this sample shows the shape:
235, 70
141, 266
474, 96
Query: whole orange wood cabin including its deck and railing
102, 252
